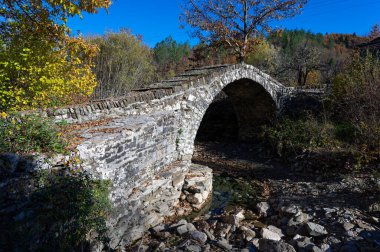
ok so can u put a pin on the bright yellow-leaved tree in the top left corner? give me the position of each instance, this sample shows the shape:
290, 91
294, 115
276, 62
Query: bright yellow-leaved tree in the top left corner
41, 64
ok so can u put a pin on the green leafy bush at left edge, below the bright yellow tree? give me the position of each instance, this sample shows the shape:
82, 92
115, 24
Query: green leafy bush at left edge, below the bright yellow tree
27, 134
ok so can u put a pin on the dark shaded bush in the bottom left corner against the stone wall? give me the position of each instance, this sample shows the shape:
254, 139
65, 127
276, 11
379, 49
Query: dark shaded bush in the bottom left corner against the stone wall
61, 213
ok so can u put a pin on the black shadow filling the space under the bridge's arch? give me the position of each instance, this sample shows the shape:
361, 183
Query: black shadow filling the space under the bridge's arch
237, 113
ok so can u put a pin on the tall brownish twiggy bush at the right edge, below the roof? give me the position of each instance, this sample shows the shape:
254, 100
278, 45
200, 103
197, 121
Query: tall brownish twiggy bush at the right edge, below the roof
356, 99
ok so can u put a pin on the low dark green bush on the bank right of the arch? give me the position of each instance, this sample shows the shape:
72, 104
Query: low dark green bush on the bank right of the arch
324, 144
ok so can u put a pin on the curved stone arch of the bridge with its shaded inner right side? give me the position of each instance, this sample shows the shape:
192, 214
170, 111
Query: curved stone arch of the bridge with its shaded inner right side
240, 84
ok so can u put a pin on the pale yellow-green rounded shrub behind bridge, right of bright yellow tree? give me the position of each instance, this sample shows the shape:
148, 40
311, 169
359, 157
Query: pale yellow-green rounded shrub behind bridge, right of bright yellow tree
123, 63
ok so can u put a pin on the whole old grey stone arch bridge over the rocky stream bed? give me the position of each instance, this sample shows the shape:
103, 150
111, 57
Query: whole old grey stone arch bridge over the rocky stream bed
144, 141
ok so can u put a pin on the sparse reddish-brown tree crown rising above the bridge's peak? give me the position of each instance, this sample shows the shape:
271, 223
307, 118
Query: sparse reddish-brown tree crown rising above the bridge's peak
236, 23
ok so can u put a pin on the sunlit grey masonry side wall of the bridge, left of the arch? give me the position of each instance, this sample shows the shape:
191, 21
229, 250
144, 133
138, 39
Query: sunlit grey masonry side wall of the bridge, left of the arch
137, 154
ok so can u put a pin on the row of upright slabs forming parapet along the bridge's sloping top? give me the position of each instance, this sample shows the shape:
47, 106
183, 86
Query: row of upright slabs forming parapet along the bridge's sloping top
138, 98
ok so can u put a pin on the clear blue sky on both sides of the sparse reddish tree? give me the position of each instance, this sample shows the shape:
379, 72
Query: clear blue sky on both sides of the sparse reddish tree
157, 19
